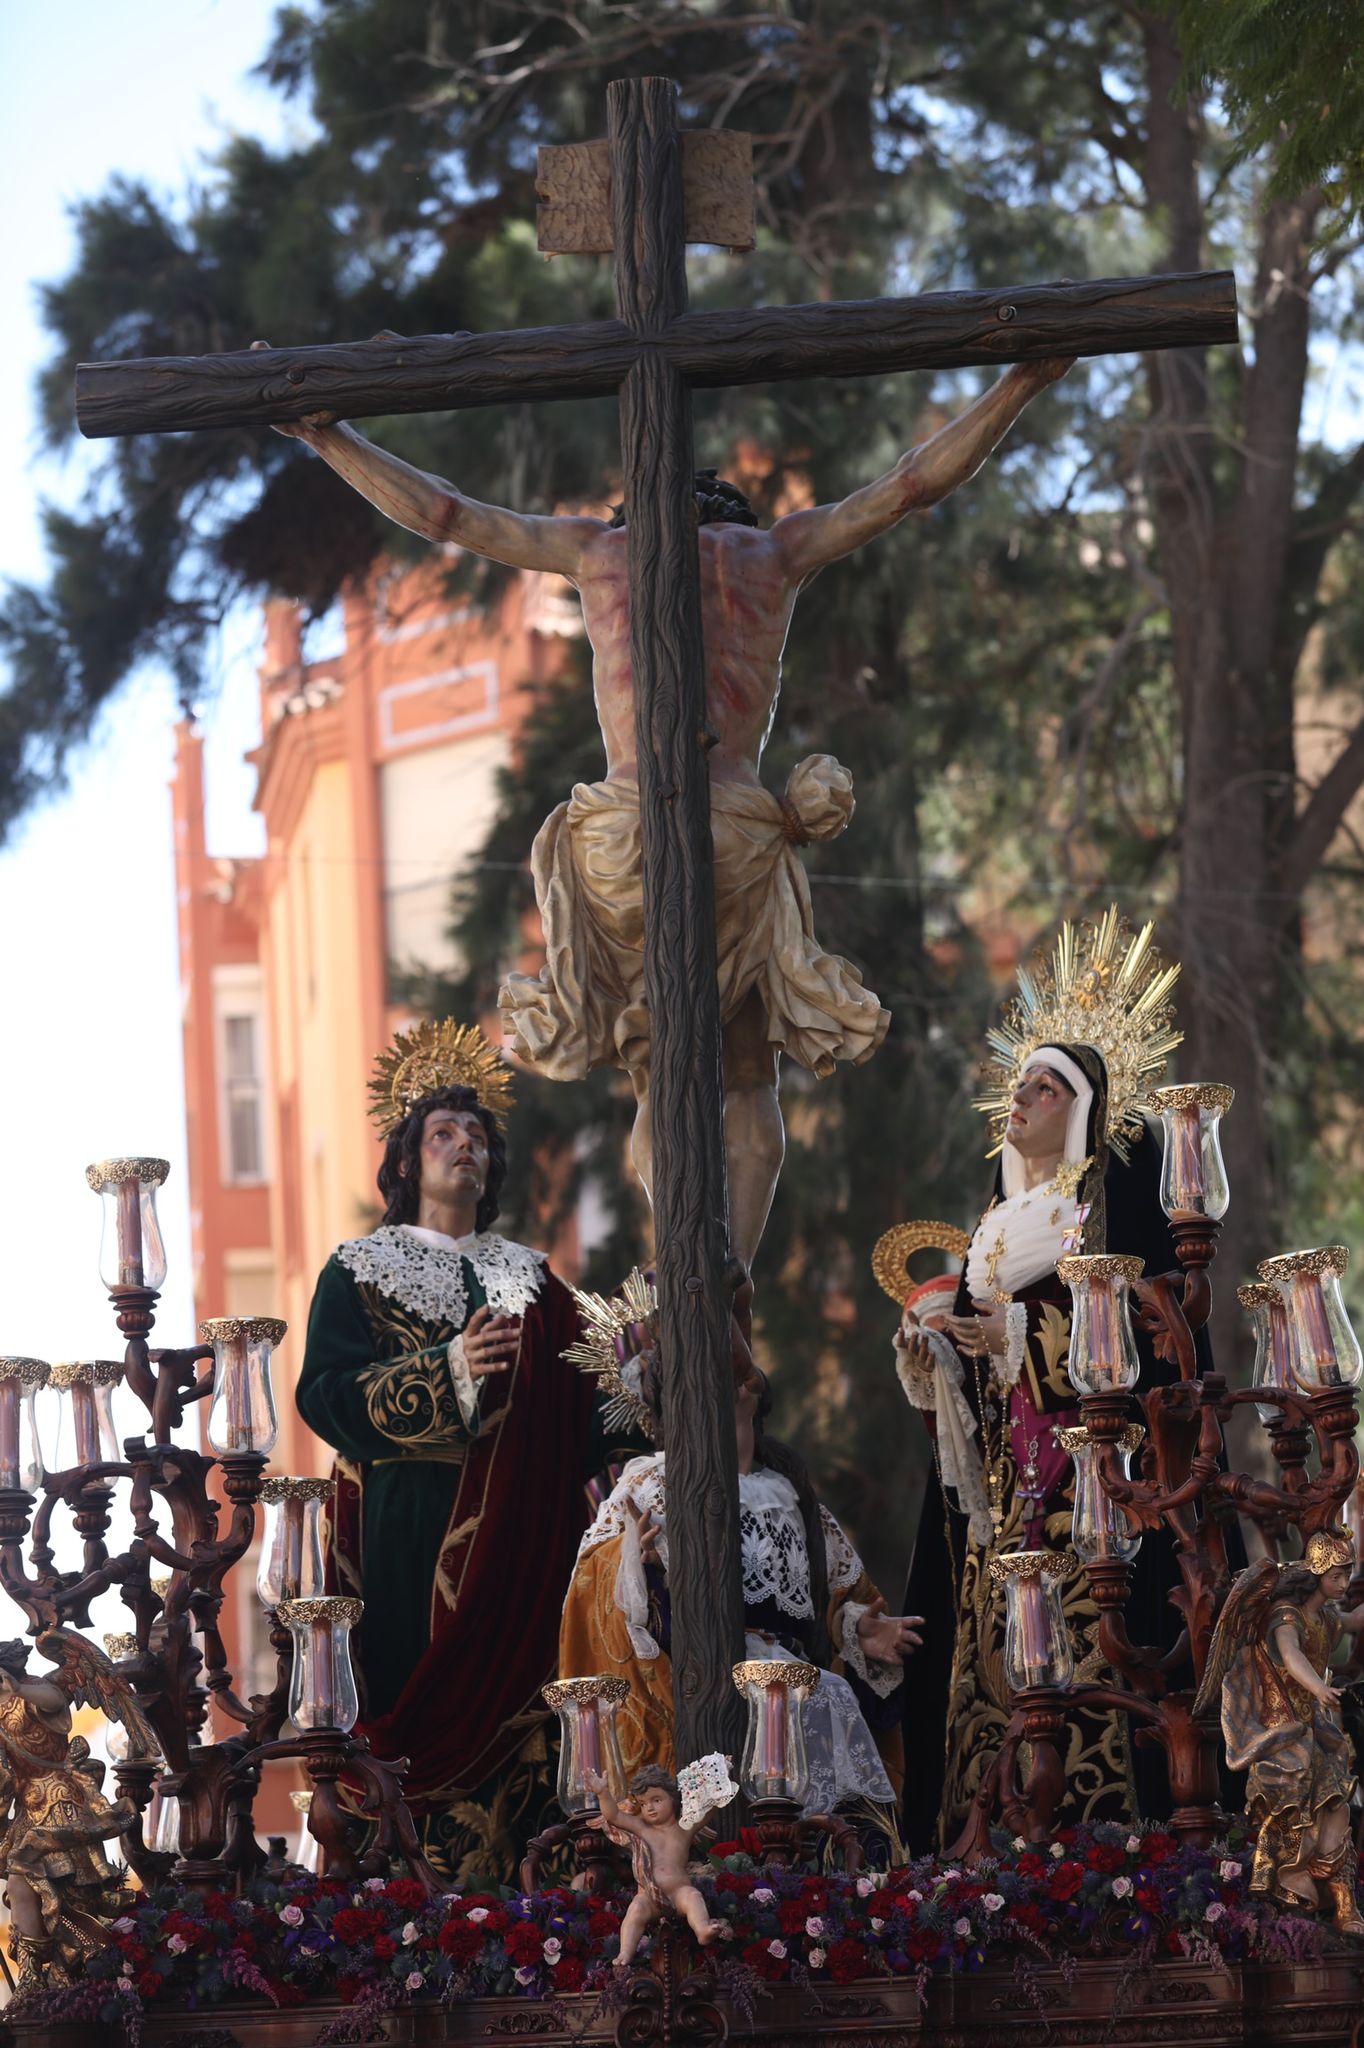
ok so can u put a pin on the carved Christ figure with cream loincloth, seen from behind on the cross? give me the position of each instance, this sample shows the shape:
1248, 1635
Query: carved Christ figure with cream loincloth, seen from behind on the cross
779, 990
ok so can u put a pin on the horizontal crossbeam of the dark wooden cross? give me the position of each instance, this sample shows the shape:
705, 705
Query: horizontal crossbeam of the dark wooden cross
855, 339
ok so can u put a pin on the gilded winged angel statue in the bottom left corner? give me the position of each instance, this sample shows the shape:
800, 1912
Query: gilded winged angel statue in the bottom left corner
54, 1820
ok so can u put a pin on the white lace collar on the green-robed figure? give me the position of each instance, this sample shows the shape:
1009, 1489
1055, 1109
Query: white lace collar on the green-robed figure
425, 1271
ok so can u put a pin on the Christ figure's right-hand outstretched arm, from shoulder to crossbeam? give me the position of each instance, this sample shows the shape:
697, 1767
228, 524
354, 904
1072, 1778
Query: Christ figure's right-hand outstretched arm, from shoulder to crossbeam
921, 480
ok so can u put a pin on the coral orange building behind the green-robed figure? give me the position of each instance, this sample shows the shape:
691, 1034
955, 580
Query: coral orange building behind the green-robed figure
376, 779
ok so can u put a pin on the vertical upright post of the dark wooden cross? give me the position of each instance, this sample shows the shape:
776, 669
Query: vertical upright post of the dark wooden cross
679, 902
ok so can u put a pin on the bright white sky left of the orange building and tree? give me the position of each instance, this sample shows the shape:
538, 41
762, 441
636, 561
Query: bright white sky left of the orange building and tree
91, 1009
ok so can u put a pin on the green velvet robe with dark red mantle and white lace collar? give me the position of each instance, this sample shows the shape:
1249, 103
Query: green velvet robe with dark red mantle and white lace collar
460, 1537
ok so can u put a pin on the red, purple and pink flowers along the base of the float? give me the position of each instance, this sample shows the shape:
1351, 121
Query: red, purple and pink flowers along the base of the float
384, 1943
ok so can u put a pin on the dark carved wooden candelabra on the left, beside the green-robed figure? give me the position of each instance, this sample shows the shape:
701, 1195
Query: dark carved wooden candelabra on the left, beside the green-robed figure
171, 1578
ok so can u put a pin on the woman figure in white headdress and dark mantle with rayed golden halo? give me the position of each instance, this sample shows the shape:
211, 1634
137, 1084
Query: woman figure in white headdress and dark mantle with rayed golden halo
1078, 1172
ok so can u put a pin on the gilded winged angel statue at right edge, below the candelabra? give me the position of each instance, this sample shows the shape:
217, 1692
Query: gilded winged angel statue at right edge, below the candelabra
1271, 1662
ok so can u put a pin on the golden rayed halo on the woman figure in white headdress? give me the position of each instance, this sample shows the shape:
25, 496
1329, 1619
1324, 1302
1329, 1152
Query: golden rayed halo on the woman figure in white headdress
1105, 986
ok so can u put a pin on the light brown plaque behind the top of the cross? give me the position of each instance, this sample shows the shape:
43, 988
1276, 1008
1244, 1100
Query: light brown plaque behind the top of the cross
572, 185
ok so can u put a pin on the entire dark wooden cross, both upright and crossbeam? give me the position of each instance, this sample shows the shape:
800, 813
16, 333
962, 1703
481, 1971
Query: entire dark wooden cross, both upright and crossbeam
652, 355
